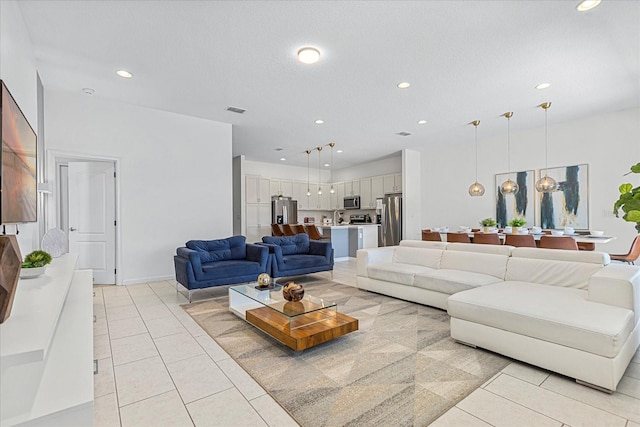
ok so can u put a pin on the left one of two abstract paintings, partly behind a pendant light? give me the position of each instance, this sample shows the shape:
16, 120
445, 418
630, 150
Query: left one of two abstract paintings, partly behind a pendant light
519, 205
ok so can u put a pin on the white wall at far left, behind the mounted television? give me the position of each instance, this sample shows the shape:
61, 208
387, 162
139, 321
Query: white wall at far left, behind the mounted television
18, 71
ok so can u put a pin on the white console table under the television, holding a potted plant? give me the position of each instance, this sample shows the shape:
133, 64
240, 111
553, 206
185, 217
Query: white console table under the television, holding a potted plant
46, 349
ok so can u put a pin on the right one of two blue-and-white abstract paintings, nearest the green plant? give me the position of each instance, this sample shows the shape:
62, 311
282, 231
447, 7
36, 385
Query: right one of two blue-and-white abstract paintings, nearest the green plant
569, 204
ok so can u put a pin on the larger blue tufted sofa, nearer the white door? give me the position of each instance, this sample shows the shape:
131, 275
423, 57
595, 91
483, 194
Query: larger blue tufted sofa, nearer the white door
206, 263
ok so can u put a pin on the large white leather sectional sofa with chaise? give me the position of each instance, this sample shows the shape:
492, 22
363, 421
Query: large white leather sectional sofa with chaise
571, 312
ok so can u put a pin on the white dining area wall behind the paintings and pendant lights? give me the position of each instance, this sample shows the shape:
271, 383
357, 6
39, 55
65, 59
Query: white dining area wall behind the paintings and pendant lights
608, 143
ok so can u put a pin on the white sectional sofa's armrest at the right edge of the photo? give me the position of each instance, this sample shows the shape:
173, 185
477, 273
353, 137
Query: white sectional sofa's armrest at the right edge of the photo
617, 285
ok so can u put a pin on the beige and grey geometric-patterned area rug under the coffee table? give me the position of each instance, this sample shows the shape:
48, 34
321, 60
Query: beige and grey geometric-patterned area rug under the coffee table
401, 368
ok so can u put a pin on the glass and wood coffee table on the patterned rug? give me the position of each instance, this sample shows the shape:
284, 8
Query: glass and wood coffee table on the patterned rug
299, 325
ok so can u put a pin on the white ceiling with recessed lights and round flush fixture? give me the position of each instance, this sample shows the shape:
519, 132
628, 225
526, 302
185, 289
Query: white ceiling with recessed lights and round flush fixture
465, 60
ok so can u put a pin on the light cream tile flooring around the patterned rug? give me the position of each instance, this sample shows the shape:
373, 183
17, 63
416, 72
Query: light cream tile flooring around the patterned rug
157, 367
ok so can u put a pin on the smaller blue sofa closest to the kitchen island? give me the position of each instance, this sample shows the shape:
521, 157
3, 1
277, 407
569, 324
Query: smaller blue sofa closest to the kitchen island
295, 255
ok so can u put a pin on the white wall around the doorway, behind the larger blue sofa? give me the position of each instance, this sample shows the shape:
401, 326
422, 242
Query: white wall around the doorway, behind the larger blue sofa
175, 174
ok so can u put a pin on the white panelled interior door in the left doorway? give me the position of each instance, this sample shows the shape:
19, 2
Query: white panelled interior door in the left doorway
92, 218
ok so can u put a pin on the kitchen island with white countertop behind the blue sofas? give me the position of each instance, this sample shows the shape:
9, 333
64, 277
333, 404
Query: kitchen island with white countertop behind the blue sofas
347, 239
